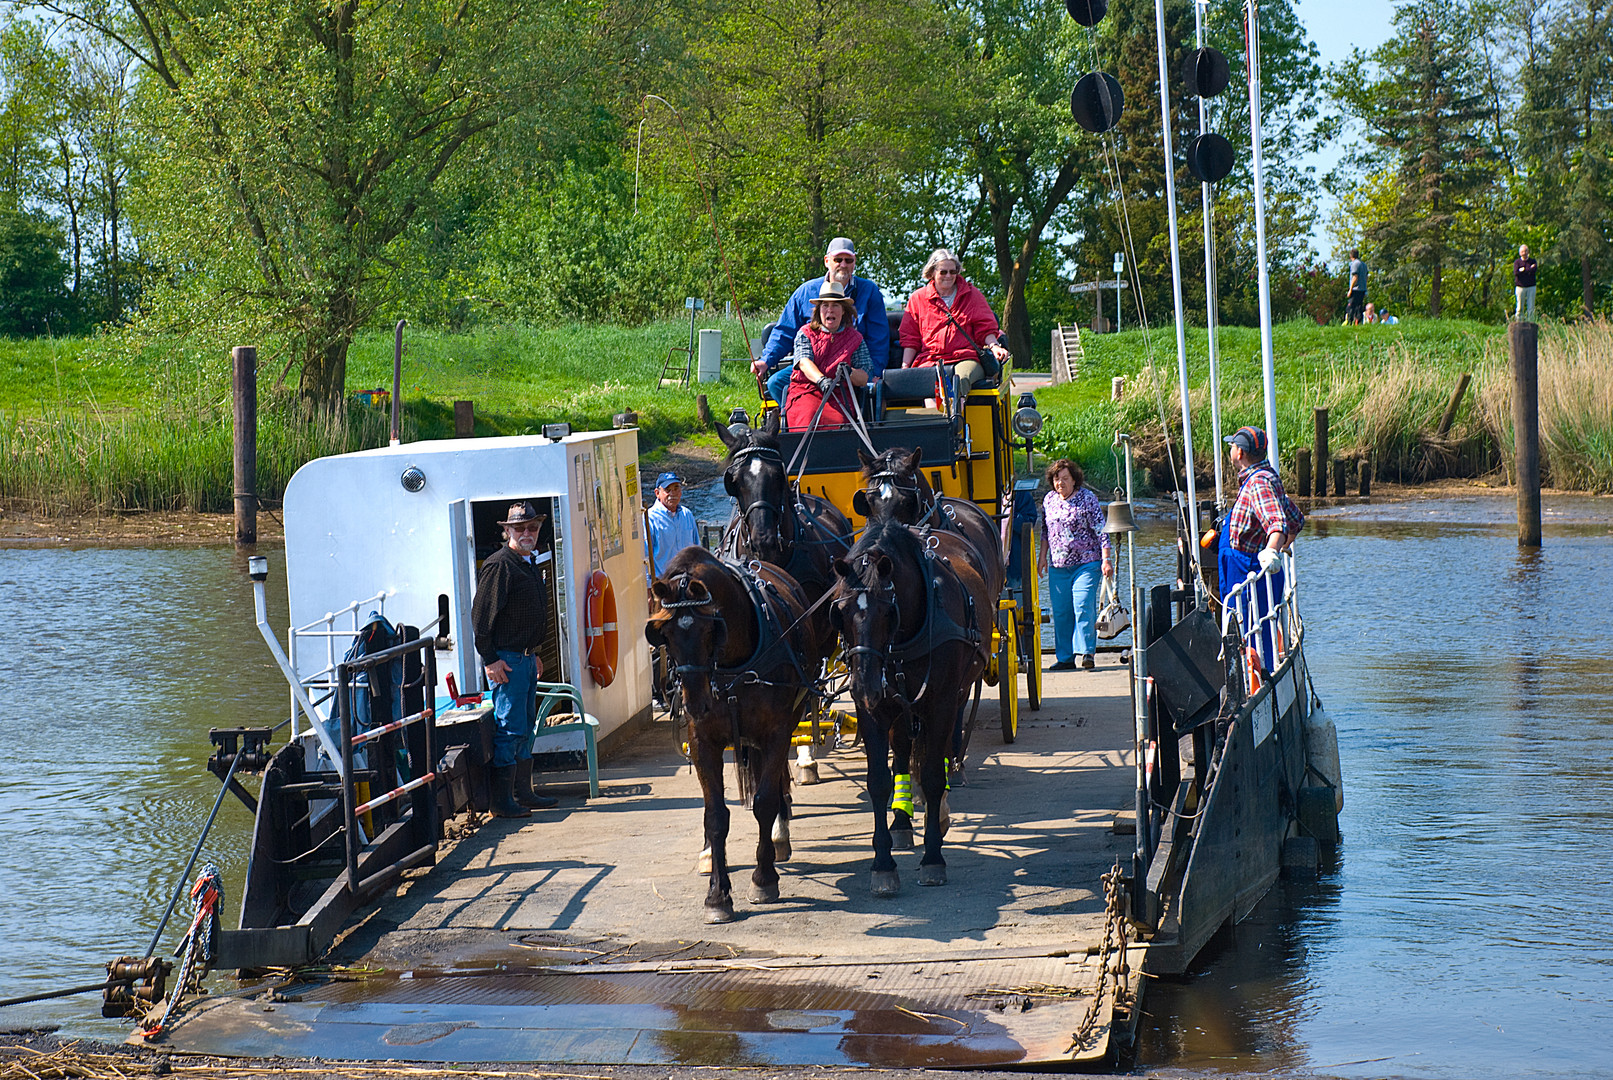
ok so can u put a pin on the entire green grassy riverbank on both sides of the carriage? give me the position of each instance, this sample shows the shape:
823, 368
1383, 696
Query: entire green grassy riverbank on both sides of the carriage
106, 425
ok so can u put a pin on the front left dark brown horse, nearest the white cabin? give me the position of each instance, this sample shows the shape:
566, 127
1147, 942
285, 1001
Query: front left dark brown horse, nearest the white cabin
746, 663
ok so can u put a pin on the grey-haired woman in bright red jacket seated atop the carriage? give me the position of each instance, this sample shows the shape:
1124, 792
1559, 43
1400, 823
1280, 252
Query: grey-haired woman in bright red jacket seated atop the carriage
949, 323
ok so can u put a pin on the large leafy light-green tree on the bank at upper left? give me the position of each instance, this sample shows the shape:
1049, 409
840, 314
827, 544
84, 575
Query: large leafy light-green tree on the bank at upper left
302, 138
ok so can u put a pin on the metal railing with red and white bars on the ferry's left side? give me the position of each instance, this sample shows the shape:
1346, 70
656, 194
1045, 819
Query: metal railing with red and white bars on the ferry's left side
419, 787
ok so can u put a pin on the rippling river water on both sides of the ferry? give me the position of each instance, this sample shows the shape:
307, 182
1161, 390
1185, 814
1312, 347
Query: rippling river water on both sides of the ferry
1462, 934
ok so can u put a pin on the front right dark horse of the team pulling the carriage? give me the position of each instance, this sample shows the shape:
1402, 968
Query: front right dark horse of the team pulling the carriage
915, 617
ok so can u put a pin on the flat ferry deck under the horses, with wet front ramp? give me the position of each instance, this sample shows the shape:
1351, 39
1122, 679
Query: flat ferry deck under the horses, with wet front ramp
578, 936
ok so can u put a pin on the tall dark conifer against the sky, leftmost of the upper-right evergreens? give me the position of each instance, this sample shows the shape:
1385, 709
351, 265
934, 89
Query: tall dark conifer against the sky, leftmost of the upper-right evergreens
1420, 98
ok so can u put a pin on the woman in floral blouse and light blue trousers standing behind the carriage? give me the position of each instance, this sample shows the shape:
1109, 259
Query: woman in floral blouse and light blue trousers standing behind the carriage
1073, 541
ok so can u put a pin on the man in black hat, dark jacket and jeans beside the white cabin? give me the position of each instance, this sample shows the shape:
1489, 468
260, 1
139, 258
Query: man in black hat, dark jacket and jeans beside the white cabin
511, 621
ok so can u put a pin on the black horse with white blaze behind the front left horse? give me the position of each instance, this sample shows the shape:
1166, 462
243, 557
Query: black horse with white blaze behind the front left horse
802, 534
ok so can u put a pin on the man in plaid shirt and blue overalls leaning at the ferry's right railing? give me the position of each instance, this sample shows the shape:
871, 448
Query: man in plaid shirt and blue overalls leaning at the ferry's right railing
1262, 525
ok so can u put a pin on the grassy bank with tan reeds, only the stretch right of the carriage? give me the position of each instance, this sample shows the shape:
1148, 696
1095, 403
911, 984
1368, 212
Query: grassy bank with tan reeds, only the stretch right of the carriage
1385, 388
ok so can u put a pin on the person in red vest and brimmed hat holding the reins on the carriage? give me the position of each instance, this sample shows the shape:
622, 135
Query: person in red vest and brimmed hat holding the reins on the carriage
832, 359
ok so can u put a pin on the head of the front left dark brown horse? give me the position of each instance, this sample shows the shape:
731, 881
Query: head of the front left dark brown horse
691, 623
